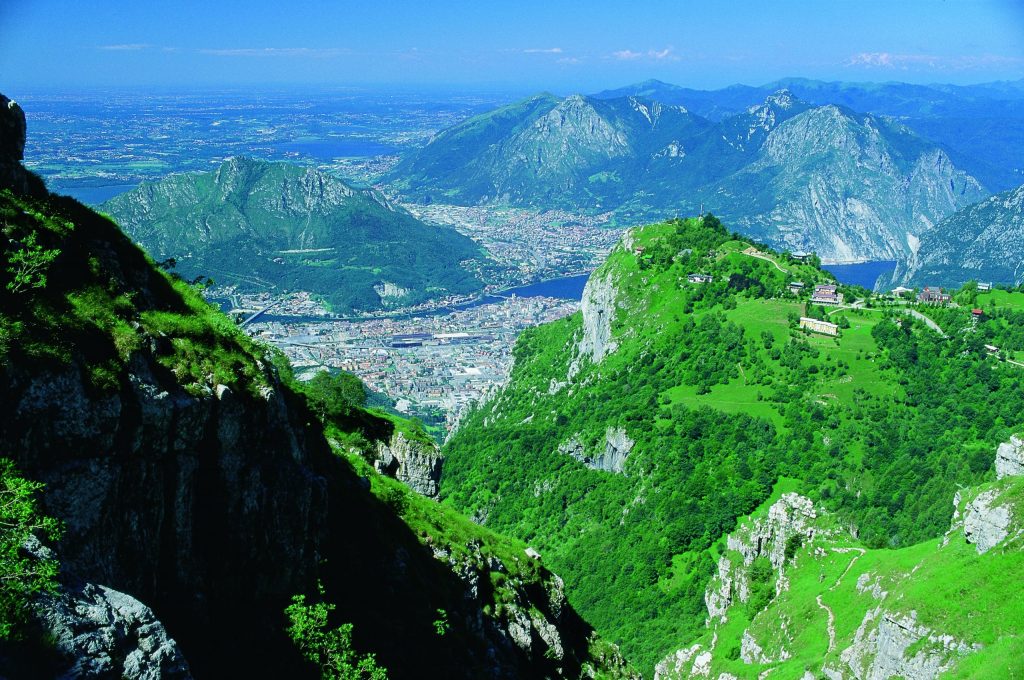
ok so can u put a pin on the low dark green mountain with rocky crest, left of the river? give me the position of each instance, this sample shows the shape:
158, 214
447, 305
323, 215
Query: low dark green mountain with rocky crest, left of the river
265, 226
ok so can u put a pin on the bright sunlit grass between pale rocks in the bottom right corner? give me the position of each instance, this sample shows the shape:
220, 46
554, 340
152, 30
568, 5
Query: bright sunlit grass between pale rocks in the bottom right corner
952, 589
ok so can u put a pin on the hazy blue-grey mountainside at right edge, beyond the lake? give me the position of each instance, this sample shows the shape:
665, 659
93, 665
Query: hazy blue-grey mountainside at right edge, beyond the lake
984, 242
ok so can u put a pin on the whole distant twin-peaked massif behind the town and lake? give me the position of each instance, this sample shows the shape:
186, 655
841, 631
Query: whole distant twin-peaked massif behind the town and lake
848, 186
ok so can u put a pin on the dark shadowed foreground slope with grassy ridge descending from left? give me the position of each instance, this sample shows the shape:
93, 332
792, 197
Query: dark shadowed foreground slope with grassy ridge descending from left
191, 472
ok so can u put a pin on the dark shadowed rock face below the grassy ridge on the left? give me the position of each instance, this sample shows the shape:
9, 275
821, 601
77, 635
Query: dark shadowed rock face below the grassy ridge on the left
201, 506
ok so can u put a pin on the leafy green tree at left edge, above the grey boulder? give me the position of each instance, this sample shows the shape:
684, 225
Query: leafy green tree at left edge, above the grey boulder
22, 575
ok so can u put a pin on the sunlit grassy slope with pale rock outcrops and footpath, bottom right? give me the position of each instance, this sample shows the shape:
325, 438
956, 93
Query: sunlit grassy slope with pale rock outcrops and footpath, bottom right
796, 594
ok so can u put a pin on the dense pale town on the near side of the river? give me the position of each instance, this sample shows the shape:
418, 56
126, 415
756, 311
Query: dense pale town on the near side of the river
433, 366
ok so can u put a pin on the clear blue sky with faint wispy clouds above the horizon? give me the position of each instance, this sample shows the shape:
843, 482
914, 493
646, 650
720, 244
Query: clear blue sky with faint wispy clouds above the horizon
521, 47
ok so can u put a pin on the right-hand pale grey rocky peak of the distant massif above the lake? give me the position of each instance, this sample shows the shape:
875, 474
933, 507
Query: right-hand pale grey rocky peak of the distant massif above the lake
846, 187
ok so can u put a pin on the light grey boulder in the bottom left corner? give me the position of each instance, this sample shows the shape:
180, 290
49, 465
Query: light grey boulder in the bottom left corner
107, 634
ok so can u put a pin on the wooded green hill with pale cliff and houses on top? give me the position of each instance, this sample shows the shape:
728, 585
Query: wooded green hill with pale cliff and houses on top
632, 436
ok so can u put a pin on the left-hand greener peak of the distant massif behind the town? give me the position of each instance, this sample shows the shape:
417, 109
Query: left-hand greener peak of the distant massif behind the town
548, 152
